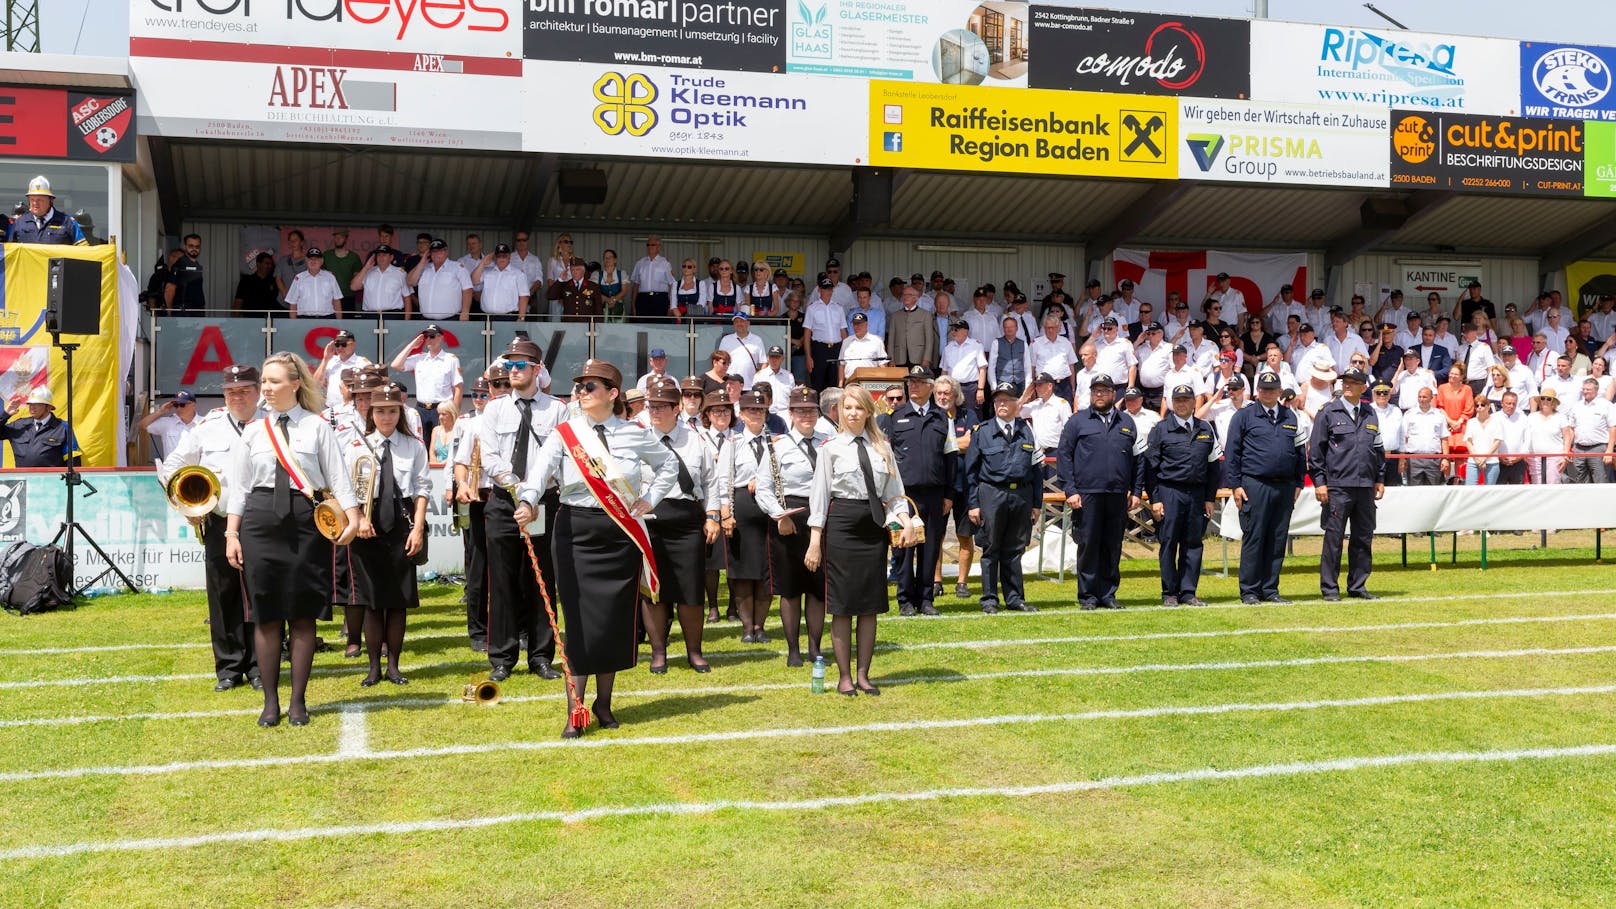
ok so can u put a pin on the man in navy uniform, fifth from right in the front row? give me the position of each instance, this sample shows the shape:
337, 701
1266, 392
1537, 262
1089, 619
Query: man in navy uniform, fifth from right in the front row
1004, 480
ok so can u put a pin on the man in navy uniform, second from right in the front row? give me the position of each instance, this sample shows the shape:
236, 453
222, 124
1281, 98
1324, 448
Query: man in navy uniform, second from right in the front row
1265, 463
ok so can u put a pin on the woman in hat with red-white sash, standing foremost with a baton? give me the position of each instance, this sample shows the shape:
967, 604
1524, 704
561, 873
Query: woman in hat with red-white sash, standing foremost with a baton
599, 565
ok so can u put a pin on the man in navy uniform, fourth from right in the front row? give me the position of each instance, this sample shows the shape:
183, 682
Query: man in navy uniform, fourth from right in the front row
1103, 480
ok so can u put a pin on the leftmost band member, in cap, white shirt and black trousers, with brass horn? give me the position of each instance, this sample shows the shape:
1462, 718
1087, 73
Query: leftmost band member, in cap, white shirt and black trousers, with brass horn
213, 446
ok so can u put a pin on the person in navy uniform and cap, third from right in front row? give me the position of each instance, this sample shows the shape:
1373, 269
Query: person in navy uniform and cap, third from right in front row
1182, 476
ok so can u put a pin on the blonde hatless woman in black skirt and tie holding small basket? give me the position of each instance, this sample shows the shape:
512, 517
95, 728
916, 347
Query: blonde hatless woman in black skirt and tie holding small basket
857, 496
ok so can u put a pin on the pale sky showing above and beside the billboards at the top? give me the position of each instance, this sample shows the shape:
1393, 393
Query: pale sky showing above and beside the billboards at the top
106, 23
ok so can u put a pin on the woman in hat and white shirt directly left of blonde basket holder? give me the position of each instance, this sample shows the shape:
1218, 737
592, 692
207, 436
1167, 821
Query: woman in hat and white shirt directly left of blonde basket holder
783, 496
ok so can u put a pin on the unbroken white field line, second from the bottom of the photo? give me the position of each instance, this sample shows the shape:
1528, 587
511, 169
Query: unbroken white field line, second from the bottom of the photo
789, 734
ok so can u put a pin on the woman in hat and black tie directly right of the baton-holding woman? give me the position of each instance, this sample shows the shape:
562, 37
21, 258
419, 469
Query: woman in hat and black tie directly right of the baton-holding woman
686, 523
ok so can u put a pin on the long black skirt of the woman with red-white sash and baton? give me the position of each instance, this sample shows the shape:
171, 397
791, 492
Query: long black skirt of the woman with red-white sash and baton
599, 581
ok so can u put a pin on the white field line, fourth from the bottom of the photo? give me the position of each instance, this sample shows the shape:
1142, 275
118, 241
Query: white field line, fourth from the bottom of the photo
935, 646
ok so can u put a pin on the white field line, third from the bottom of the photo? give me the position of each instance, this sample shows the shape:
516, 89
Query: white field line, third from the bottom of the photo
655, 693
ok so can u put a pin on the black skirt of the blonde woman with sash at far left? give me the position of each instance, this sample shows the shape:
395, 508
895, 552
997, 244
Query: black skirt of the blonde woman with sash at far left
287, 564
